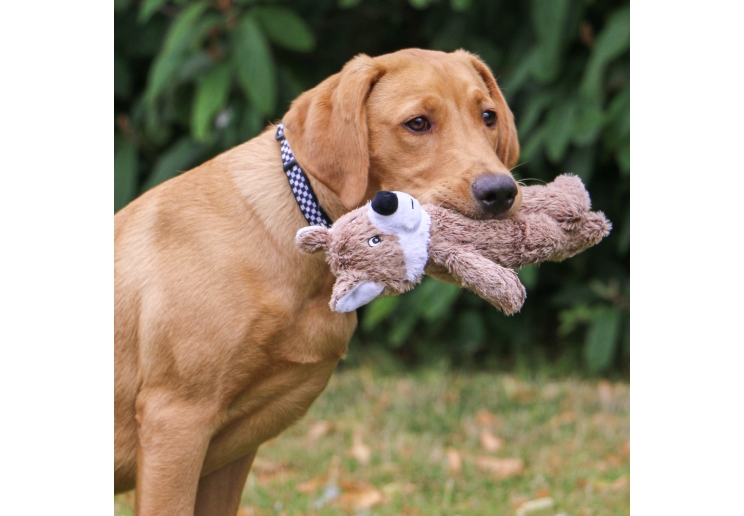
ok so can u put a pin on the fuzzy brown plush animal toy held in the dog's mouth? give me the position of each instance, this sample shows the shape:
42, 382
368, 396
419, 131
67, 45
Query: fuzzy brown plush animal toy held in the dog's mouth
384, 246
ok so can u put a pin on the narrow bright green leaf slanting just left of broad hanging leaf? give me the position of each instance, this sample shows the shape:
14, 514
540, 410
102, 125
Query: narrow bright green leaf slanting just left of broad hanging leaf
211, 96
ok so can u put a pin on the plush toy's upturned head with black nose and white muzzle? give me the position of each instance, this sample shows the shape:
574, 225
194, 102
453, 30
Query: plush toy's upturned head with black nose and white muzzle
380, 247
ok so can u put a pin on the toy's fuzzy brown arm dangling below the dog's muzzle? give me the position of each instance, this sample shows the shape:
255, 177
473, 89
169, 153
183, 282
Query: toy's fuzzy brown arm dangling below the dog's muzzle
496, 284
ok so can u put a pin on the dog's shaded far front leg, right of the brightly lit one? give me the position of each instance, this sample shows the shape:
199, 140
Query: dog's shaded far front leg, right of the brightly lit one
219, 492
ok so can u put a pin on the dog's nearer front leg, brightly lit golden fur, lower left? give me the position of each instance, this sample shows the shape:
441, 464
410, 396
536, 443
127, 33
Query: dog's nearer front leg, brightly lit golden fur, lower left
173, 438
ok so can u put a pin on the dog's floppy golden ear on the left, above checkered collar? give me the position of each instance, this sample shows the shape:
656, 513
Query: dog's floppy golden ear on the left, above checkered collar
327, 129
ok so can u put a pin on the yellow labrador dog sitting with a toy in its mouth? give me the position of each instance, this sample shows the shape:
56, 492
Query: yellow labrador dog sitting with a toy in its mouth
223, 334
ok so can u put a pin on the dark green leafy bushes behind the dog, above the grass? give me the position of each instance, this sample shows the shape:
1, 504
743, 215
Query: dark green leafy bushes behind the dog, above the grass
194, 78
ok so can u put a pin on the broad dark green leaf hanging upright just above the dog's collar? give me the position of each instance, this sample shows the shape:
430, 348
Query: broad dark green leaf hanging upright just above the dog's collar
255, 65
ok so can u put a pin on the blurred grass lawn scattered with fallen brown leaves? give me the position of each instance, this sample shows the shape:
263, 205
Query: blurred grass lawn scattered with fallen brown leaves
442, 443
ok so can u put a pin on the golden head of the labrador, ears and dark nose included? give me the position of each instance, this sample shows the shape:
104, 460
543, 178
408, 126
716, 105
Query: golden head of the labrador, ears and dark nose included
429, 123
